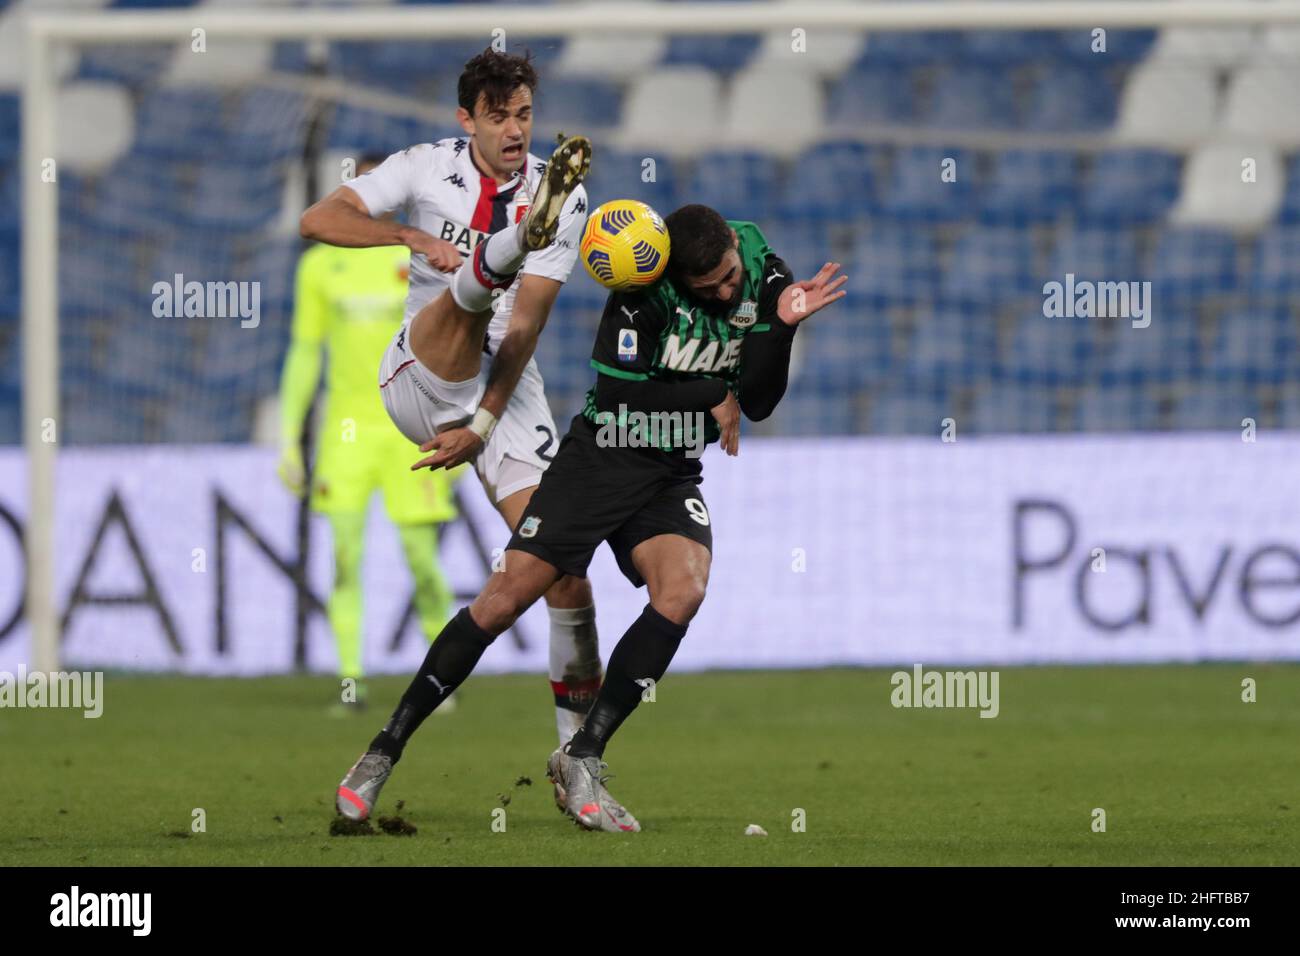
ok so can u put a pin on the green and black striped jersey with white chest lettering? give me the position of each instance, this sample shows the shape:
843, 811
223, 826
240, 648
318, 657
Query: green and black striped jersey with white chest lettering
664, 335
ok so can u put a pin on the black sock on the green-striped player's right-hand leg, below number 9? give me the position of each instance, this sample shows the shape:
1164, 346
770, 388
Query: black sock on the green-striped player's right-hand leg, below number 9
644, 652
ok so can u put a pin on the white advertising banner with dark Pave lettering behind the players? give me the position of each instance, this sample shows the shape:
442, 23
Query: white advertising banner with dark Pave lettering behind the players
826, 552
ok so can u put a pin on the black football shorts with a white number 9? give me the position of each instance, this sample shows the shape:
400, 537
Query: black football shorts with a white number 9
623, 496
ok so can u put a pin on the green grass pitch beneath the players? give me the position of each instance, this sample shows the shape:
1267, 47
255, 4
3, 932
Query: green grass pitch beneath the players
1186, 772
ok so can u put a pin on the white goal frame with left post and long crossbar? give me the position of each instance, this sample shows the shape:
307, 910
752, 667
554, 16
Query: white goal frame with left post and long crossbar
46, 32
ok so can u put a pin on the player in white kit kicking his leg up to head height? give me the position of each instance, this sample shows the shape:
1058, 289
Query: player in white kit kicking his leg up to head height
493, 233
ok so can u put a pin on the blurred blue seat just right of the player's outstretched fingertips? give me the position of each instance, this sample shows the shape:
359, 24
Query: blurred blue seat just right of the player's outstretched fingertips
892, 266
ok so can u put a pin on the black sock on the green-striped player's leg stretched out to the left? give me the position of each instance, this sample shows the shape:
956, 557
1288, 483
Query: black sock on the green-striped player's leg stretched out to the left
450, 660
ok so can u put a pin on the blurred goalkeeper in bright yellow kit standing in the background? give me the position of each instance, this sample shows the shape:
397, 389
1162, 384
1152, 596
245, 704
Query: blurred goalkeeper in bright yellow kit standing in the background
350, 302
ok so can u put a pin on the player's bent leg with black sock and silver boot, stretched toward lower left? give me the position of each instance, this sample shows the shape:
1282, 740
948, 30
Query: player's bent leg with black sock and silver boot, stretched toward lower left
452, 659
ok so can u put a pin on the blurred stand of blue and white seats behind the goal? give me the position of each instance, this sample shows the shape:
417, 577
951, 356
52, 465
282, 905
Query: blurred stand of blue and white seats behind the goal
1103, 166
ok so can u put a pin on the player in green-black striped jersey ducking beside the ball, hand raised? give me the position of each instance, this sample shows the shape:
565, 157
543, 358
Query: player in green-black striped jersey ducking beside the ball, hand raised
709, 341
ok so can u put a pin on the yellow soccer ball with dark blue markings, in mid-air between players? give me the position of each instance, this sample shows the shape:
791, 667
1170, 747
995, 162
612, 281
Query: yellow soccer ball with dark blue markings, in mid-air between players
625, 245
